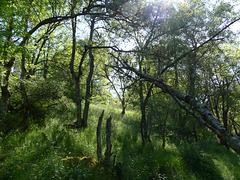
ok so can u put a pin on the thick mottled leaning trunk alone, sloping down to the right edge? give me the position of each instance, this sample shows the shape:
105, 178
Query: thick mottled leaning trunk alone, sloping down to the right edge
201, 113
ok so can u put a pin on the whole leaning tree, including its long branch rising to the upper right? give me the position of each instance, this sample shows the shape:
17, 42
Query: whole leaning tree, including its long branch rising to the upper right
195, 108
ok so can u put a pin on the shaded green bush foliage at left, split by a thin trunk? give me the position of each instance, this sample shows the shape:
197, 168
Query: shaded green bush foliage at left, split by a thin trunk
44, 97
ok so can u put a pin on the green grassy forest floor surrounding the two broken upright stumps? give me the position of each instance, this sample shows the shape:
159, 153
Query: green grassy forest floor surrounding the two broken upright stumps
54, 151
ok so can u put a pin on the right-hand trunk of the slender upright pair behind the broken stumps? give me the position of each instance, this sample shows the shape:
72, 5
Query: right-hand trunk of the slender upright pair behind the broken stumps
89, 78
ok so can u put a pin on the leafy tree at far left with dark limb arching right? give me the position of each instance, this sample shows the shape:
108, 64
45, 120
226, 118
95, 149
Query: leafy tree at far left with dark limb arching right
17, 40
